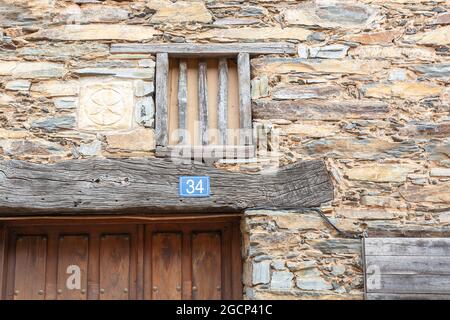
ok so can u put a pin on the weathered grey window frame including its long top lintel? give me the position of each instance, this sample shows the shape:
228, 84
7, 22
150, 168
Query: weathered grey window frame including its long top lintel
241, 51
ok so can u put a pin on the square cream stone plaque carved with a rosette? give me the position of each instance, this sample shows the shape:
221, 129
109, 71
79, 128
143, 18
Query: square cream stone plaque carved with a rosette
106, 106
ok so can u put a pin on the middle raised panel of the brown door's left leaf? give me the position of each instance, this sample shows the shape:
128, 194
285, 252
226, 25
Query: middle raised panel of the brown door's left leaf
72, 267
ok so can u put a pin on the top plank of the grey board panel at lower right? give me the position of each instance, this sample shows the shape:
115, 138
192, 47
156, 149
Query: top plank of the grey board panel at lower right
408, 246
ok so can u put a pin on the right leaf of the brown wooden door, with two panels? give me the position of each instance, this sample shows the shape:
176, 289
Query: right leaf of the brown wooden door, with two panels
193, 261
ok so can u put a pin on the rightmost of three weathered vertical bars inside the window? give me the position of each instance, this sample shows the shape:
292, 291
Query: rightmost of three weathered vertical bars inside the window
222, 110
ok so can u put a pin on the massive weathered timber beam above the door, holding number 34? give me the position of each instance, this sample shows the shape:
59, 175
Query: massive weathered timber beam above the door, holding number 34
151, 185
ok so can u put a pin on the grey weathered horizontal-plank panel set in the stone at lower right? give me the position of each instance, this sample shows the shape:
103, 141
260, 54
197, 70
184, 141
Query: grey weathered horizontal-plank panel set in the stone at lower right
407, 268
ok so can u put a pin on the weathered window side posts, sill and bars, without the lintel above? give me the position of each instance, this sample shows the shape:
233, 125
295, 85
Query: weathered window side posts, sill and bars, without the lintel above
245, 145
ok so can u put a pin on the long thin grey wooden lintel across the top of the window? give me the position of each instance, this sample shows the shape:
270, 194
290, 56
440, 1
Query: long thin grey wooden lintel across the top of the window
210, 49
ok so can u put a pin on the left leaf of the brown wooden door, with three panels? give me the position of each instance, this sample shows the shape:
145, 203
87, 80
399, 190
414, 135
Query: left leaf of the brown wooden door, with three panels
71, 263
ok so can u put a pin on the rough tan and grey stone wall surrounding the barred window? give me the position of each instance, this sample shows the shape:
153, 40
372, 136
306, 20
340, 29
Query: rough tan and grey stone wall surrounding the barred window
368, 92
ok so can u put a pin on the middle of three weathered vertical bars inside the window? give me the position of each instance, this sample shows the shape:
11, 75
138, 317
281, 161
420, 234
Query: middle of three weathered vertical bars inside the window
203, 101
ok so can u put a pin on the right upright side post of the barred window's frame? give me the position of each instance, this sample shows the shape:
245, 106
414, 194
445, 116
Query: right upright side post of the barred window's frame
246, 135
